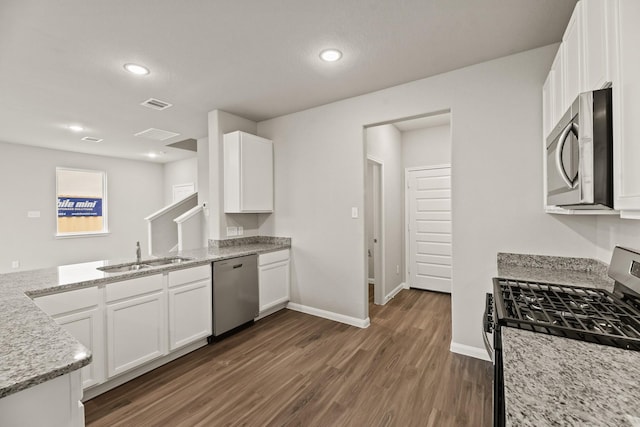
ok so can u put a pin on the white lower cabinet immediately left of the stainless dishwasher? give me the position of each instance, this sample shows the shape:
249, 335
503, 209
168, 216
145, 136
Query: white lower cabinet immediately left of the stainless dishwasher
189, 306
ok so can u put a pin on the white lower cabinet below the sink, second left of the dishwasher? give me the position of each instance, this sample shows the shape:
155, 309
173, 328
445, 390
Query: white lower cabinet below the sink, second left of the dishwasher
136, 323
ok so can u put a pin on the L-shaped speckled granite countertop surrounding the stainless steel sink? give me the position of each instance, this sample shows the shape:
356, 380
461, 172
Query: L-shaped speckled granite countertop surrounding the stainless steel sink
34, 349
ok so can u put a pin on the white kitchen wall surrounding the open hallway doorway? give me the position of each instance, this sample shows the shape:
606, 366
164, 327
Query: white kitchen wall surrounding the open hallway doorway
497, 184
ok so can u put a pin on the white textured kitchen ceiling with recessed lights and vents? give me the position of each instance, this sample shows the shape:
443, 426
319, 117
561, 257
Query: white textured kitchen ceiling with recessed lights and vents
61, 61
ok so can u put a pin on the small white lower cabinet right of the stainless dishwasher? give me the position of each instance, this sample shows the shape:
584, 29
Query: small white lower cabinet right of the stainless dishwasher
274, 279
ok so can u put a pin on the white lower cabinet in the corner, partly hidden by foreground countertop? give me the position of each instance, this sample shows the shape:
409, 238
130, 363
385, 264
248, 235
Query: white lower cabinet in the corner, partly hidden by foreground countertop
80, 313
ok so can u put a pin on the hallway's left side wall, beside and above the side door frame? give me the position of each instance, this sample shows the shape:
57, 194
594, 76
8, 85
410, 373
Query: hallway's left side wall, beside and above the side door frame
384, 144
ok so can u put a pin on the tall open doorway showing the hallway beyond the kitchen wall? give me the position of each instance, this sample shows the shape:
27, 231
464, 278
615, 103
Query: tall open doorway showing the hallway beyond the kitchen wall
392, 149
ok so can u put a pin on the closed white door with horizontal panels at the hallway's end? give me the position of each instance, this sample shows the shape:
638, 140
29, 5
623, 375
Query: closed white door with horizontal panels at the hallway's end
429, 228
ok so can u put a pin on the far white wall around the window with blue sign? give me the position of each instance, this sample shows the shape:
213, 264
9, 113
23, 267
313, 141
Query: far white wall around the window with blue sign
28, 183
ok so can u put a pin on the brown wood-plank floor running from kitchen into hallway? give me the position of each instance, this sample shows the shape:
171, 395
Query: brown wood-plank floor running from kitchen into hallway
298, 370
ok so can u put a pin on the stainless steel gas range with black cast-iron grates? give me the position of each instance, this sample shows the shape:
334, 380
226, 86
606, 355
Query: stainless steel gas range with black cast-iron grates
579, 313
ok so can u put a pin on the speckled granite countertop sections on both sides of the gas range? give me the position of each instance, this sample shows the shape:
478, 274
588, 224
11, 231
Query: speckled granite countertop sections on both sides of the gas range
551, 381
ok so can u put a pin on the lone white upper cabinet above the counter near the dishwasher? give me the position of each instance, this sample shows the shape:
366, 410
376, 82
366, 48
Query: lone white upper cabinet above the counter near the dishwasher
248, 173
